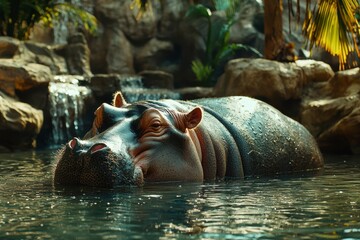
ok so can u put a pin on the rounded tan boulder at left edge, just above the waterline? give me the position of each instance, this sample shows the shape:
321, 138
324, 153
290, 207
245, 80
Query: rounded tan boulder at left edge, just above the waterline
19, 123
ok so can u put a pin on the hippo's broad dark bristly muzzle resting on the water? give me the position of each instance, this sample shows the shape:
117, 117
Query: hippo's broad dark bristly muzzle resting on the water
98, 166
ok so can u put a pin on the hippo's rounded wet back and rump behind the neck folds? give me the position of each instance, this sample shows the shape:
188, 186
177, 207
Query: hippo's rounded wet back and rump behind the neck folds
269, 142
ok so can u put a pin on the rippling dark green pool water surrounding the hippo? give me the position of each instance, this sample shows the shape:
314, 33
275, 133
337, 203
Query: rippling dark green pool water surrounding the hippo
318, 207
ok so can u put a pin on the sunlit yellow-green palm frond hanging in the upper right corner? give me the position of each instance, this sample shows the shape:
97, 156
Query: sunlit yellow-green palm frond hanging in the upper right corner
333, 26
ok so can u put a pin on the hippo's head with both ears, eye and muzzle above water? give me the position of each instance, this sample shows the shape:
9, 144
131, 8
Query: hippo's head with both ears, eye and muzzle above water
130, 144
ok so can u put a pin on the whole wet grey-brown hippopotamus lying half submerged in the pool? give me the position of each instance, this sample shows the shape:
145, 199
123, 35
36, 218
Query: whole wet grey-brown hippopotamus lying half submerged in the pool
192, 141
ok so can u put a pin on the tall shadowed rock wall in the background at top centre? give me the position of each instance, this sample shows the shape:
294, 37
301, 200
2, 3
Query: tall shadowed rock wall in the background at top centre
160, 39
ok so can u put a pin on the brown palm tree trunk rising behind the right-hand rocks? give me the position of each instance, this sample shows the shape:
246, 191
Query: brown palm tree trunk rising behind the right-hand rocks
273, 27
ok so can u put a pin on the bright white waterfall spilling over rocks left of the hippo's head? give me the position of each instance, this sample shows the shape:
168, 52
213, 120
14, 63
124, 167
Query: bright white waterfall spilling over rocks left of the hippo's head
66, 107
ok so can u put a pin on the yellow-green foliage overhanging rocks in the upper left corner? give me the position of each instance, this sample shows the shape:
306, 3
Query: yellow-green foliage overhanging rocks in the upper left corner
18, 17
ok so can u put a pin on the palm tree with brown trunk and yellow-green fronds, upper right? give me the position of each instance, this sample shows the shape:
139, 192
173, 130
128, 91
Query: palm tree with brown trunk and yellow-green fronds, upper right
331, 25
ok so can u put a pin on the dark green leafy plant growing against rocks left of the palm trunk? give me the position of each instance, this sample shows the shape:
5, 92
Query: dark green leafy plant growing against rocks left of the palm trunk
218, 49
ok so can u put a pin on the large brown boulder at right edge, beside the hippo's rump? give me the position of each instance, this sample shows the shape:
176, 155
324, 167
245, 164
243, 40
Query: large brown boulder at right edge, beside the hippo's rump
332, 112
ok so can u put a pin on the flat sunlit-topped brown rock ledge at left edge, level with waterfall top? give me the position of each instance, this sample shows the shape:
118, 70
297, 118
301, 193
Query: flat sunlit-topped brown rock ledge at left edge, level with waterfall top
19, 76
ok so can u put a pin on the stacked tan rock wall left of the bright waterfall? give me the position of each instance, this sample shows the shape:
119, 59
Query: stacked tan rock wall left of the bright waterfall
26, 70
